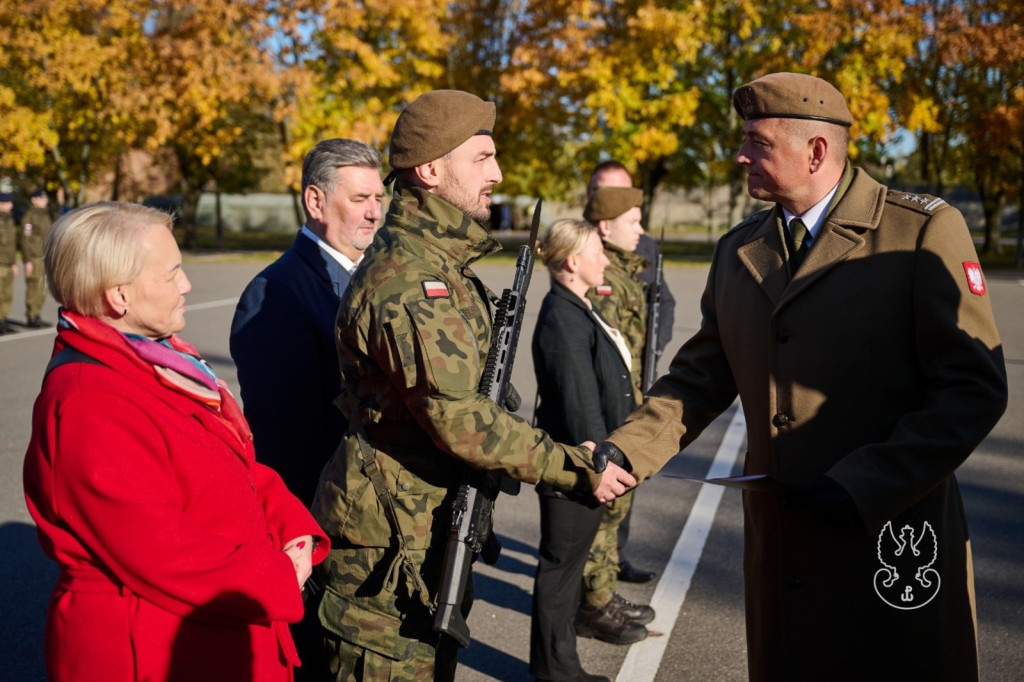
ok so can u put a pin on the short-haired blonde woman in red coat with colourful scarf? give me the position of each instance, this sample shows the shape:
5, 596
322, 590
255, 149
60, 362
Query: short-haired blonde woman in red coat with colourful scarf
181, 557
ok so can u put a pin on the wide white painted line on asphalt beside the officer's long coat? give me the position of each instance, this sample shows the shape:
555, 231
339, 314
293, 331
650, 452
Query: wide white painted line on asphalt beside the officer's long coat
645, 658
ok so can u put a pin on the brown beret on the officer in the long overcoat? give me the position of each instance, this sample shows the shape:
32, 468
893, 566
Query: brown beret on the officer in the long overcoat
792, 97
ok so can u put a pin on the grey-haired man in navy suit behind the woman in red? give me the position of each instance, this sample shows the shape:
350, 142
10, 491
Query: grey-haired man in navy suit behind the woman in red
283, 332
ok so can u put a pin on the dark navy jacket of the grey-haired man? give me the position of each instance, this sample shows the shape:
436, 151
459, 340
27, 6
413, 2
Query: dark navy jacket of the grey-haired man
283, 345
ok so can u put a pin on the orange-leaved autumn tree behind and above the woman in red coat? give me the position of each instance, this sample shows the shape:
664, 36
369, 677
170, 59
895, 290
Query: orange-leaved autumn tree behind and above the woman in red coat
205, 76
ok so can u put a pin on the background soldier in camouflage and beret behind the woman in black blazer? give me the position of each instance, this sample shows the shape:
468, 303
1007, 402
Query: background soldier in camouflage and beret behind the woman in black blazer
621, 301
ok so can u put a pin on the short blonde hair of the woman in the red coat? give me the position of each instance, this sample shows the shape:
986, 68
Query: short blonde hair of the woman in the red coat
96, 247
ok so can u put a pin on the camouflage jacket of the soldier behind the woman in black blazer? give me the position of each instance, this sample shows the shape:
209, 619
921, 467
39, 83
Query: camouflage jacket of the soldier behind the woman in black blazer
622, 302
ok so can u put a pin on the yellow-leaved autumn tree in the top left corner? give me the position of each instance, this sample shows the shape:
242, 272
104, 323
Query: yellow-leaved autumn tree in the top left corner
67, 88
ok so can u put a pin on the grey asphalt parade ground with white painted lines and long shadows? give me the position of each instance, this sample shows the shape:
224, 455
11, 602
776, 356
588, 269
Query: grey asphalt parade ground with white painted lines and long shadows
691, 534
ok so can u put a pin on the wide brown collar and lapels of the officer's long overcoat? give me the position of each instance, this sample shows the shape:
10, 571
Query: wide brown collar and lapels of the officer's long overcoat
841, 237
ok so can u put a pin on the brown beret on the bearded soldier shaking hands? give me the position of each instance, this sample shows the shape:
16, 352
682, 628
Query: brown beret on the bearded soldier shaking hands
437, 123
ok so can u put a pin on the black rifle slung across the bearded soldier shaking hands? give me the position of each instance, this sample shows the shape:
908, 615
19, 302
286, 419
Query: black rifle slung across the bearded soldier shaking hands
472, 511
